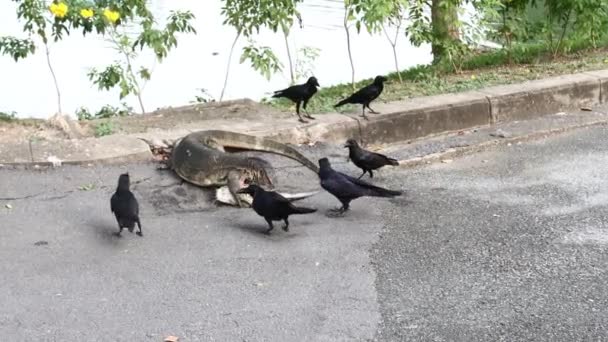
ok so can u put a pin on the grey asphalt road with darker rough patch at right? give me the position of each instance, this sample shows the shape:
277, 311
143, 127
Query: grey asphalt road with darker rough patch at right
507, 245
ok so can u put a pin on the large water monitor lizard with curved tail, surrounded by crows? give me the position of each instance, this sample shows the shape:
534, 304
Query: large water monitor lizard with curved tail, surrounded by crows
200, 158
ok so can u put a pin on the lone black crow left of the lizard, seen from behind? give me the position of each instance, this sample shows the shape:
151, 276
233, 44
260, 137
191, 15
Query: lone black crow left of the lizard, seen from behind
124, 206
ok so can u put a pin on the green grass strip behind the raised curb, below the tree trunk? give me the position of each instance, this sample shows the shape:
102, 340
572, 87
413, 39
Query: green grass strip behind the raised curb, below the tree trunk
529, 62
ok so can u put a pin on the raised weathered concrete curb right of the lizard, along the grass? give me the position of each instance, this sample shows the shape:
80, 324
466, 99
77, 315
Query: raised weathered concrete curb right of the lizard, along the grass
420, 117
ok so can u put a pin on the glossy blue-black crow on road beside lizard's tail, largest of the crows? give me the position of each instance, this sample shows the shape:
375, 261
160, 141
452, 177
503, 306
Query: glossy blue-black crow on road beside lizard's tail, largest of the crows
346, 188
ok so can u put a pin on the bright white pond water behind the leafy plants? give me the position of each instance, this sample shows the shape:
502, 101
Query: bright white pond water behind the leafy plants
199, 61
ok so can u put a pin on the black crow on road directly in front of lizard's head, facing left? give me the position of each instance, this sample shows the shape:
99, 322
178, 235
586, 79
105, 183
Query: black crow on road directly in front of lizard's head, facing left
272, 206
